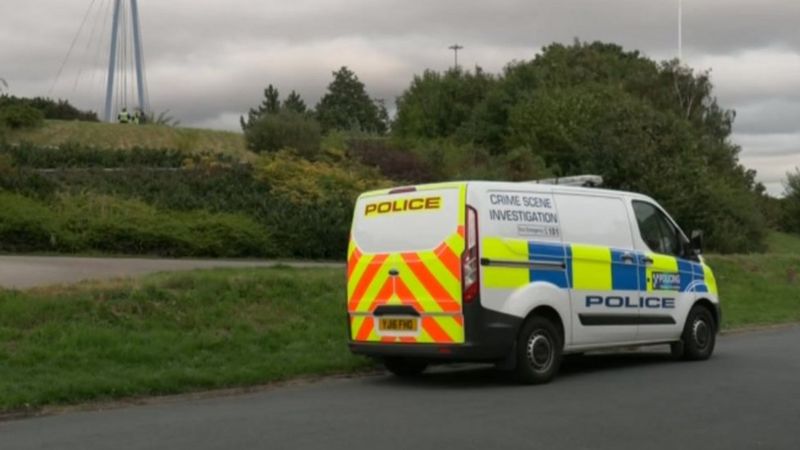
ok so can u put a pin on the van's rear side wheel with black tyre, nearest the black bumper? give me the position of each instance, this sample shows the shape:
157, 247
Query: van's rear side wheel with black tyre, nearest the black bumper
538, 351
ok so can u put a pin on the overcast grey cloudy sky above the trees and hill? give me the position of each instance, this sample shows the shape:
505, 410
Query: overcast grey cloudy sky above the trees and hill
208, 61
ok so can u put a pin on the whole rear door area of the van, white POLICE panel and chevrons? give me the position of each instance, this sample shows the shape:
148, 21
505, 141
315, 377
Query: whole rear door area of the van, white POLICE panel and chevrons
404, 265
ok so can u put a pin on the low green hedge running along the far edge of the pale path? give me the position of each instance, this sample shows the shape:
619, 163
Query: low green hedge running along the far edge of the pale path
91, 223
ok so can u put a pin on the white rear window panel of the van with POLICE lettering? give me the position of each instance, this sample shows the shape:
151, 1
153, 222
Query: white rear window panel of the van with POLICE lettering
409, 221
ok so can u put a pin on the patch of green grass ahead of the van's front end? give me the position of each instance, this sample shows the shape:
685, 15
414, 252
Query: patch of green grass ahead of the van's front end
758, 289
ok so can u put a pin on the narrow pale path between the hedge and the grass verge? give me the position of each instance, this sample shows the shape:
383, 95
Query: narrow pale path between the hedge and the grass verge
23, 272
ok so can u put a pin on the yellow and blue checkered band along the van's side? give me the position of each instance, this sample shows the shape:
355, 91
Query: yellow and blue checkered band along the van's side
590, 268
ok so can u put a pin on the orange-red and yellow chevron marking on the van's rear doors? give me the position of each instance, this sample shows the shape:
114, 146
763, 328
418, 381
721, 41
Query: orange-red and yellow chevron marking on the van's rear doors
429, 281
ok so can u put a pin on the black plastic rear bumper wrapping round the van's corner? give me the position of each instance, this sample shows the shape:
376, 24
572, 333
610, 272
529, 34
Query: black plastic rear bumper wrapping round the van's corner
490, 337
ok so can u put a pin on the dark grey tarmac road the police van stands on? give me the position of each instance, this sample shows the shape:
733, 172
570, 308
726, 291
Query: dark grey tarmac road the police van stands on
746, 397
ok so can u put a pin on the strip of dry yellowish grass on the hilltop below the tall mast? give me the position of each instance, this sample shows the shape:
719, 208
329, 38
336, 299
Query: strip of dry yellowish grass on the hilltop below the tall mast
119, 136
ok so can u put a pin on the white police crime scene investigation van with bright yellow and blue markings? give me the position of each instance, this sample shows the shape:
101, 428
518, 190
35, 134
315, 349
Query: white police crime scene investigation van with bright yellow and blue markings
520, 274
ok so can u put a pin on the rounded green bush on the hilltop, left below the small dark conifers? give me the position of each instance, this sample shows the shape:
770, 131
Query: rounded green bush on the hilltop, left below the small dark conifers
285, 129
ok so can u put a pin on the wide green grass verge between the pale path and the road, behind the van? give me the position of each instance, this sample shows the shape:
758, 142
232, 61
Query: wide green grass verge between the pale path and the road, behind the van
170, 333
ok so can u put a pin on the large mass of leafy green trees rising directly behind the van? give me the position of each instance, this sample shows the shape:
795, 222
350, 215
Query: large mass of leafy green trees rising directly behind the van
596, 108
